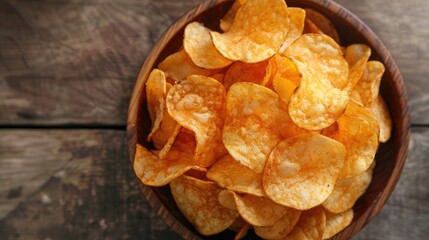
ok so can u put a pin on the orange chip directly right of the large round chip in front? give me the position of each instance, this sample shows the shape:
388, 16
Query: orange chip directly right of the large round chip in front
361, 142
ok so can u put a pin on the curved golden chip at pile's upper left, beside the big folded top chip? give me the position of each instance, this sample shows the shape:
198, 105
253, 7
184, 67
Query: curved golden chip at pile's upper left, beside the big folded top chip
199, 46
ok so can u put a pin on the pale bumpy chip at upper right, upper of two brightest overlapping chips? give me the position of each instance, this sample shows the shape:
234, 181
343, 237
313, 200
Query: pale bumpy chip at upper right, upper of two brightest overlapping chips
320, 55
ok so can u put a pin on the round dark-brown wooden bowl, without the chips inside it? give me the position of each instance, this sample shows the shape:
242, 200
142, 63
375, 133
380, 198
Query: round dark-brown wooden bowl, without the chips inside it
390, 157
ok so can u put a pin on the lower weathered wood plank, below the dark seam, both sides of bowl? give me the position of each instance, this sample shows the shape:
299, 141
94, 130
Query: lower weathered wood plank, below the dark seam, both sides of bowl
85, 189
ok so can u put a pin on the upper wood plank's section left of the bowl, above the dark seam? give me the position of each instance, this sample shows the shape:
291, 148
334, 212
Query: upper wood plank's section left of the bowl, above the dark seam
75, 62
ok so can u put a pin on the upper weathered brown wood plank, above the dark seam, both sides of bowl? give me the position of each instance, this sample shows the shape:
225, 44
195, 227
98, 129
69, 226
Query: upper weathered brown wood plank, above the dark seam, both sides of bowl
75, 62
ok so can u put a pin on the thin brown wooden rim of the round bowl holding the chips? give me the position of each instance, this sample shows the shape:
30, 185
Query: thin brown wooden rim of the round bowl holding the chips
368, 34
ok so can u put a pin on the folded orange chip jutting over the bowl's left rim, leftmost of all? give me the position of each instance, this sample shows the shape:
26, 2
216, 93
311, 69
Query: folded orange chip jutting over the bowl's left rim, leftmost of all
154, 171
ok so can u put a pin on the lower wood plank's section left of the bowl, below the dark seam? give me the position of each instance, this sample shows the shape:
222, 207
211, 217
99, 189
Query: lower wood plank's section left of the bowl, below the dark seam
71, 185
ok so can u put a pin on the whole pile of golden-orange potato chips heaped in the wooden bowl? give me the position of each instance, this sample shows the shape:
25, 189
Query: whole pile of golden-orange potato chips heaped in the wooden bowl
269, 125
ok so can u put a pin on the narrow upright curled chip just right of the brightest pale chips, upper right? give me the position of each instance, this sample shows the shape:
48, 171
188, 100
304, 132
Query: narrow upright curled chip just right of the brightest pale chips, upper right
357, 56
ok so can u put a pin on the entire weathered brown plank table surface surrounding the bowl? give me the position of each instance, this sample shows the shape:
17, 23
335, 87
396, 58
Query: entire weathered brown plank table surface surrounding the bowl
67, 69
